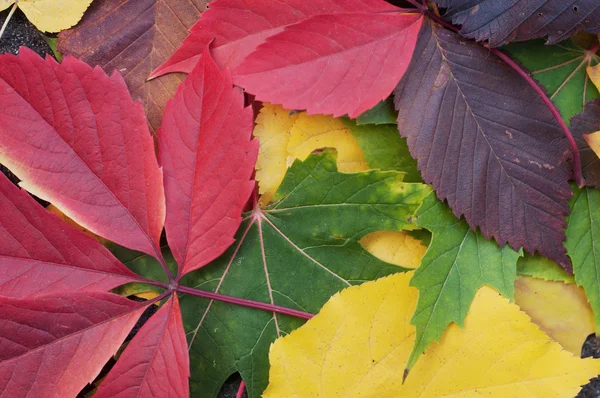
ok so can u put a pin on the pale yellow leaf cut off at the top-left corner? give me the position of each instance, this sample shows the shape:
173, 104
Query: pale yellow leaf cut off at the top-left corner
50, 15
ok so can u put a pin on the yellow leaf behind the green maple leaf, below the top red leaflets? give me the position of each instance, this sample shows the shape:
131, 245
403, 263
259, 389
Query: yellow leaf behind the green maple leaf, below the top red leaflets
285, 136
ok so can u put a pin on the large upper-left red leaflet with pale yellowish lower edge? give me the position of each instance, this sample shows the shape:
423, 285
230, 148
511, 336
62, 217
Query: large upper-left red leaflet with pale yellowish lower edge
85, 147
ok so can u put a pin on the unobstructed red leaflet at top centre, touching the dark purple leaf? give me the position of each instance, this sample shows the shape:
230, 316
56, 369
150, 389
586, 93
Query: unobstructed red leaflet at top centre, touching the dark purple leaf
332, 64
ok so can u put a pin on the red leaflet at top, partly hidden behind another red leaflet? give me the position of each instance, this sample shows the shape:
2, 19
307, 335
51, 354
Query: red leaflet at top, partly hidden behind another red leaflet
239, 26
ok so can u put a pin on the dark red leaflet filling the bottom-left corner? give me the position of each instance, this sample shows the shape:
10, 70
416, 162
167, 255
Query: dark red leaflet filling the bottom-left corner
52, 346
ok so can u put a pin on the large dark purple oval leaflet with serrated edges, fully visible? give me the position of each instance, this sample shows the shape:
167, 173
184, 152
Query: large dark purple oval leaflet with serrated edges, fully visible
486, 142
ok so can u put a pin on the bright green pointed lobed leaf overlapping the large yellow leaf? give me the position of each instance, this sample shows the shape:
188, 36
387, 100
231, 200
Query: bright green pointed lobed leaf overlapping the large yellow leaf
457, 263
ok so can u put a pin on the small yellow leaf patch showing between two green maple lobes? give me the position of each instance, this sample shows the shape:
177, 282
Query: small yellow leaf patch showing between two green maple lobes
395, 247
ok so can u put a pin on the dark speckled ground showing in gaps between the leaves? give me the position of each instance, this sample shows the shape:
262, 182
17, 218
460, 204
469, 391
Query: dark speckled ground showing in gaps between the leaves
21, 33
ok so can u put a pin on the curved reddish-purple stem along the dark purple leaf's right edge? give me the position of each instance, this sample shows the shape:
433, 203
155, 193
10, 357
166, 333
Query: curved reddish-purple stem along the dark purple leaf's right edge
577, 176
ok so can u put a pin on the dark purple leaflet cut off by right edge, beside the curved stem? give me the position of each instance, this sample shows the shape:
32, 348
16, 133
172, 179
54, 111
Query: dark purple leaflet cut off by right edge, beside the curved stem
588, 122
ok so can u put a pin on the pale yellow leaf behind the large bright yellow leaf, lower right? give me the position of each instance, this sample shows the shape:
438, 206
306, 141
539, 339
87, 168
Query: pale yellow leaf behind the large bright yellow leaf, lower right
561, 310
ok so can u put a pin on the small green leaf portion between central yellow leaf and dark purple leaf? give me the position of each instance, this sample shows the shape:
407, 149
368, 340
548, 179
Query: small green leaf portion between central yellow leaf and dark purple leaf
385, 149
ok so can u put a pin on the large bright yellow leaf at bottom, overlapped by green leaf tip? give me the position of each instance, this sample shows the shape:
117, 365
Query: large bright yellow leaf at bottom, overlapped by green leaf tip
359, 343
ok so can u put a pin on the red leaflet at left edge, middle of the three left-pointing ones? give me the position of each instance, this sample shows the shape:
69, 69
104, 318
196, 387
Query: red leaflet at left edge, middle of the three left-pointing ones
40, 254
